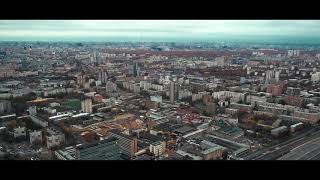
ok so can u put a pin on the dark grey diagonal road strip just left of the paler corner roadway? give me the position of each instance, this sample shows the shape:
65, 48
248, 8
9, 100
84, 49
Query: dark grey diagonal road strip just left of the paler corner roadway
276, 151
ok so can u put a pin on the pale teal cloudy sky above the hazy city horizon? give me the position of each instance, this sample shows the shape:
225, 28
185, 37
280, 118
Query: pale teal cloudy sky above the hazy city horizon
148, 30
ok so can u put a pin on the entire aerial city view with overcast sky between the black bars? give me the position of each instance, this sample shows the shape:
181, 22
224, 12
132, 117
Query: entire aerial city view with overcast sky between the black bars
159, 90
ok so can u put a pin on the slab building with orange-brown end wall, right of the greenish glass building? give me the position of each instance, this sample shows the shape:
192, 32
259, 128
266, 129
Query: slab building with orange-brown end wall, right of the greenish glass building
128, 144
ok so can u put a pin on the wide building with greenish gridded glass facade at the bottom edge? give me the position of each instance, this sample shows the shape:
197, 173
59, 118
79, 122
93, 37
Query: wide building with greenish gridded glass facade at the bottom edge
107, 149
